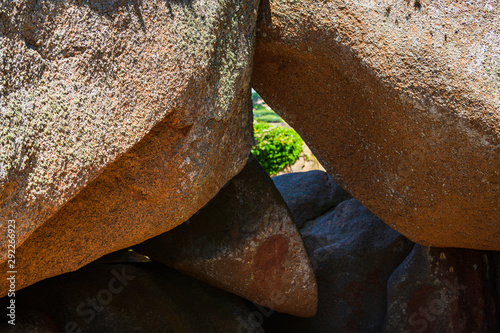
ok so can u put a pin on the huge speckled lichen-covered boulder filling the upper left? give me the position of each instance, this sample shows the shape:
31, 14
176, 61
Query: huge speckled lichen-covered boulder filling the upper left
146, 104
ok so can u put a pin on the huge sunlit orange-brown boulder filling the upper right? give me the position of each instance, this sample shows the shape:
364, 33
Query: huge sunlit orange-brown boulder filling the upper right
400, 101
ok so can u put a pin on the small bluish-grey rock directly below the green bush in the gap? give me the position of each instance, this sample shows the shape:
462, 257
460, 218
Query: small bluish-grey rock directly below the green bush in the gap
309, 194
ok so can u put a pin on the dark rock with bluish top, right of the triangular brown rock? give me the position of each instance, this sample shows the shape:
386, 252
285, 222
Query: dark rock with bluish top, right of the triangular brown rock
353, 253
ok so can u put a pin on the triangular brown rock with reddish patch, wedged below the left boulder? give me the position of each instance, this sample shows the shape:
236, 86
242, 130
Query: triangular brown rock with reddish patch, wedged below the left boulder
245, 242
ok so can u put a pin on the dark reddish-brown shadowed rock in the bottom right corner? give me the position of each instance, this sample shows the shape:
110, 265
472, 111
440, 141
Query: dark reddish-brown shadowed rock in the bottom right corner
439, 290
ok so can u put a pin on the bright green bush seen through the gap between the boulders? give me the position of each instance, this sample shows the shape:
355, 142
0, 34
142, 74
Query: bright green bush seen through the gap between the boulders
276, 146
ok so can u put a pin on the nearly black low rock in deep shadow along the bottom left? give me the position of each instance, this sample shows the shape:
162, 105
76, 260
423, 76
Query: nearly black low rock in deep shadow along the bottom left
125, 297
